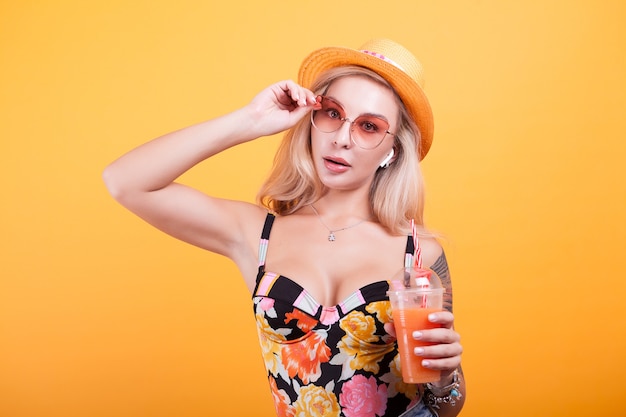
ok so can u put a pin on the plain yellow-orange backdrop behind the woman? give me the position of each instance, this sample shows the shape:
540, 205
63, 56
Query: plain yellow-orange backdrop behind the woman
100, 315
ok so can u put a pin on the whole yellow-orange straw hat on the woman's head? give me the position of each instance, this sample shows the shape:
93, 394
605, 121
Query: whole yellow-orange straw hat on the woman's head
394, 63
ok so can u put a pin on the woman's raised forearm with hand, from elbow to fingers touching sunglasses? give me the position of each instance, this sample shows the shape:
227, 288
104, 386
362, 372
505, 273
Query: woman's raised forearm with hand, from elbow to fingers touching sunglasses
158, 163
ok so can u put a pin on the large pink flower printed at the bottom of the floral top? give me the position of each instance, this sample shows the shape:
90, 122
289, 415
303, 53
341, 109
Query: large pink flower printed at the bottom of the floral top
362, 397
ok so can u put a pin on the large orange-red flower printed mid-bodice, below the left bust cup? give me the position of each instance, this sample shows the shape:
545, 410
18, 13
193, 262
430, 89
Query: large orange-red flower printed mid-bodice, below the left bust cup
305, 357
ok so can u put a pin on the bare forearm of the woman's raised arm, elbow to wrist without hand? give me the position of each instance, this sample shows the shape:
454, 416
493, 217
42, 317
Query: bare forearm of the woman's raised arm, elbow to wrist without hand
158, 163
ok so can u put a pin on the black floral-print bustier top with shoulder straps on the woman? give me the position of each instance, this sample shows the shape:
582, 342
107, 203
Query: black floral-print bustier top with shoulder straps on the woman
329, 361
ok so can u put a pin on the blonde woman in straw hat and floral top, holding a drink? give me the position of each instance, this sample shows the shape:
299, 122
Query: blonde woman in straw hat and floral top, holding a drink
329, 233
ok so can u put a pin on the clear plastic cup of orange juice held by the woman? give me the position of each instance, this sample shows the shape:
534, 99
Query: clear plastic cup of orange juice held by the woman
410, 308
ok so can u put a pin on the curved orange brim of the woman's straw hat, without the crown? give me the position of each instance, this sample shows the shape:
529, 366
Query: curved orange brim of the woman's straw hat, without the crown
409, 91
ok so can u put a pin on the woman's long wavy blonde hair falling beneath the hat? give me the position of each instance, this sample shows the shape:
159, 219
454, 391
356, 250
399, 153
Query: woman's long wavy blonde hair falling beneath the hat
396, 194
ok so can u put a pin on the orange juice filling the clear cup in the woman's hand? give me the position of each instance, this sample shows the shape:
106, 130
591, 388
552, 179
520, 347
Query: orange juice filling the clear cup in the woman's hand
406, 321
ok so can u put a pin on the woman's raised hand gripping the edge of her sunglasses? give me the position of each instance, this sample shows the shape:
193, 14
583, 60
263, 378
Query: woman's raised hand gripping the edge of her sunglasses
279, 107
